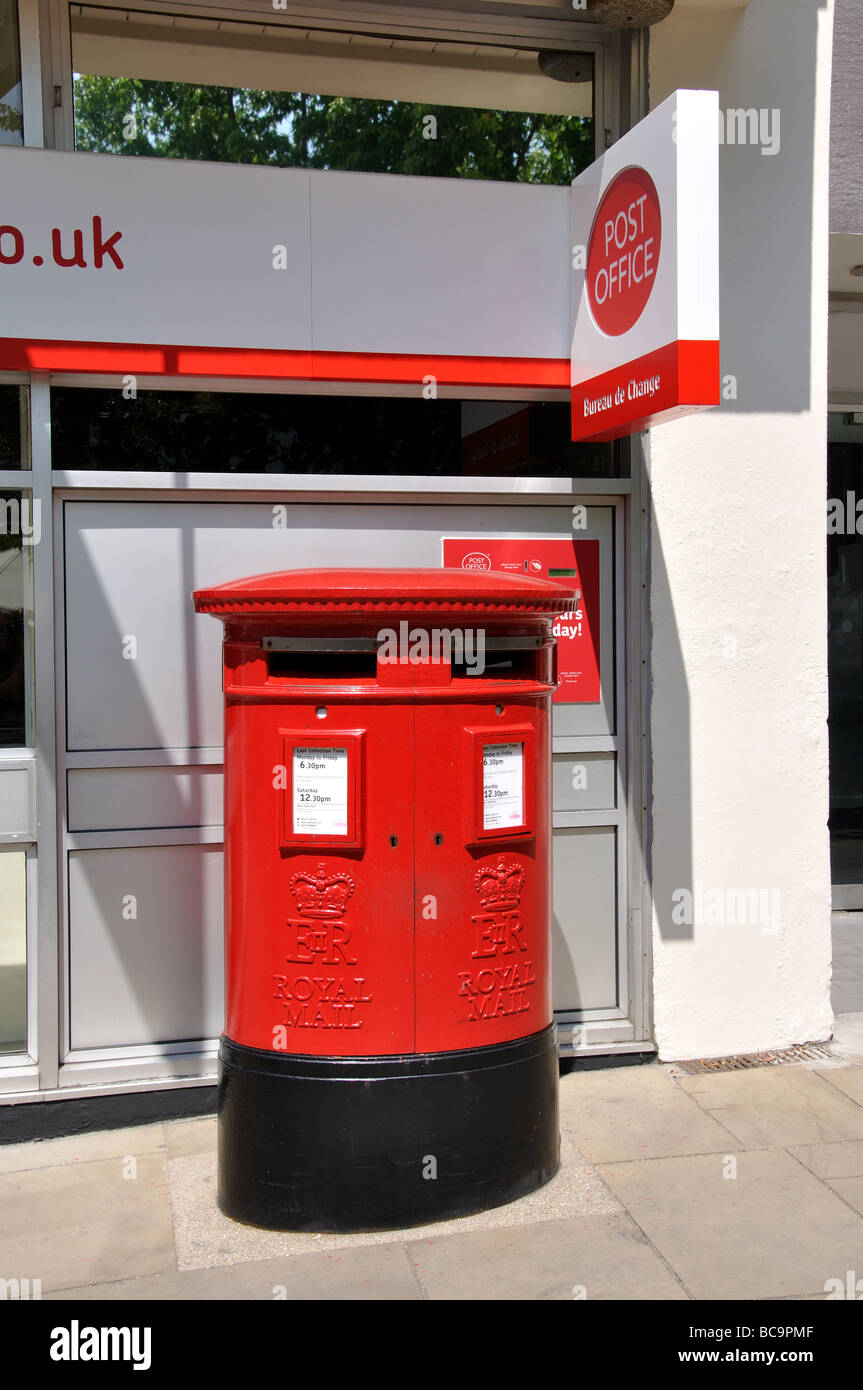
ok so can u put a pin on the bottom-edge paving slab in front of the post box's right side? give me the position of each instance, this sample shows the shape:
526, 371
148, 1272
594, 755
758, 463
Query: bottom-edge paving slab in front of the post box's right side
587, 1257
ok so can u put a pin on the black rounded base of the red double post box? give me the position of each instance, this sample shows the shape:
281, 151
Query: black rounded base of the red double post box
348, 1145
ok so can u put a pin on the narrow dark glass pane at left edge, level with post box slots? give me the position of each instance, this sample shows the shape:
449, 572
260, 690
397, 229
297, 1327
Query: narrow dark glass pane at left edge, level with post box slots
20, 532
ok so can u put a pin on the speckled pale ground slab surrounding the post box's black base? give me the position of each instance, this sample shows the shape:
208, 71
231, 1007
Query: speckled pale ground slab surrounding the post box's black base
206, 1238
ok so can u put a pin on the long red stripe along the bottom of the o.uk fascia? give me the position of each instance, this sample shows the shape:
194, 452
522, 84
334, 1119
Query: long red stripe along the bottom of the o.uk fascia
152, 361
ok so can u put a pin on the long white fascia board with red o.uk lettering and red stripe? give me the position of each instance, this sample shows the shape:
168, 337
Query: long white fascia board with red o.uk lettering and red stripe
180, 268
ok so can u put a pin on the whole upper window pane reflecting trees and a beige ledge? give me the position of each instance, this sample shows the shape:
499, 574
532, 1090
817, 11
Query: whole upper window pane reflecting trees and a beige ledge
326, 99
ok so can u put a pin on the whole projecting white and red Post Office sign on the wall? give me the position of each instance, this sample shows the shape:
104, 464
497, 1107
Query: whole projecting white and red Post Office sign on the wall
646, 275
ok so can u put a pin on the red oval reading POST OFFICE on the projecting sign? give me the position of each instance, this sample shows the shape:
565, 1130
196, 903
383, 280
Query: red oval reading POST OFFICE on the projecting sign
623, 251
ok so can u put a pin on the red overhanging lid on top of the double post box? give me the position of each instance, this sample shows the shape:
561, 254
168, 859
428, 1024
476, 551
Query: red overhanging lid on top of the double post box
363, 591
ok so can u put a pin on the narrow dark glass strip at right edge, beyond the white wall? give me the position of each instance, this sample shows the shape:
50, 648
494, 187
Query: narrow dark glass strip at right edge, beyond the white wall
846, 647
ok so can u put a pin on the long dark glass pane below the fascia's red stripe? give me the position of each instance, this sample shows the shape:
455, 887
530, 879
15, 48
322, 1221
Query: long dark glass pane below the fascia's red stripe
212, 433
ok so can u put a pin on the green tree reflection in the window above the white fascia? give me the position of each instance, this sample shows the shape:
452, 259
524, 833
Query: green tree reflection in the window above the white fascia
301, 130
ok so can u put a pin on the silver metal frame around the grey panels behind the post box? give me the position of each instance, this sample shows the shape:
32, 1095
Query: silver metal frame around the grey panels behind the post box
583, 1033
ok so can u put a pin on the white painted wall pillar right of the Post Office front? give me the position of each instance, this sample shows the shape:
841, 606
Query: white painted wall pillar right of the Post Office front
739, 668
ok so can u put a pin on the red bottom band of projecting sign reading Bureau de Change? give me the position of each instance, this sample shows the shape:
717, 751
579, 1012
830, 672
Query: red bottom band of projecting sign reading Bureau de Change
676, 380
